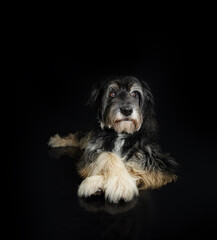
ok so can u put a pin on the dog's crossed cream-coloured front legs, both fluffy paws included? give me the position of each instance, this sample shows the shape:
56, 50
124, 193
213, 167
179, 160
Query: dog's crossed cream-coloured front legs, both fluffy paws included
108, 173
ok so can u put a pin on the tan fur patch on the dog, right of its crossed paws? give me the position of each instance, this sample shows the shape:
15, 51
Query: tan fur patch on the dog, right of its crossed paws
149, 179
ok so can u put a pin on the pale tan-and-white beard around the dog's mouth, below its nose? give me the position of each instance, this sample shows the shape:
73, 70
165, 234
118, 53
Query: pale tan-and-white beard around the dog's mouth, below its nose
123, 124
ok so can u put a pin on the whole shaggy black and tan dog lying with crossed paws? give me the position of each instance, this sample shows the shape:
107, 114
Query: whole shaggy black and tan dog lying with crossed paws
120, 154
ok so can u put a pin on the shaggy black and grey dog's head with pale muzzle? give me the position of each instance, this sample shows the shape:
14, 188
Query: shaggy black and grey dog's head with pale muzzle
122, 103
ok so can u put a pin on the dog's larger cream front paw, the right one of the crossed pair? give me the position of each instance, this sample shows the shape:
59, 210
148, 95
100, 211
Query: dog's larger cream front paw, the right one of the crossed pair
118, 188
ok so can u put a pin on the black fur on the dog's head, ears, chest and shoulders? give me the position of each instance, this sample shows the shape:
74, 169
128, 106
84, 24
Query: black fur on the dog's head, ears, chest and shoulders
145, 140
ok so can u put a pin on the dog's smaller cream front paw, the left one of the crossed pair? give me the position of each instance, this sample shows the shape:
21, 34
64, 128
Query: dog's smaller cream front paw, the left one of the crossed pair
90, 186
